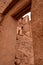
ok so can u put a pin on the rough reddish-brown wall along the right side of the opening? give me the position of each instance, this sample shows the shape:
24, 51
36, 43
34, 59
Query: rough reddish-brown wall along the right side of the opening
37, 30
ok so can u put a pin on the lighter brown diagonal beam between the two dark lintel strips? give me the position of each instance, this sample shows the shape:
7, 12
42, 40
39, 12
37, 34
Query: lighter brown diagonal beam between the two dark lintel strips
20, 5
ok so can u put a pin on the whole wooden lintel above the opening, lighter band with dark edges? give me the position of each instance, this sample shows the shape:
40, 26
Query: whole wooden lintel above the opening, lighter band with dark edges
18, 8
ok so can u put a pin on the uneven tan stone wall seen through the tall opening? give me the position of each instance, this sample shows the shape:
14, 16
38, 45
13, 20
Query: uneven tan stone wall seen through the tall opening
24, 46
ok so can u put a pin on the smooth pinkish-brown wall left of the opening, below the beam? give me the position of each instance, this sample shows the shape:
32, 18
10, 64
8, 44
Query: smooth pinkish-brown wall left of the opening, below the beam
7, 41
